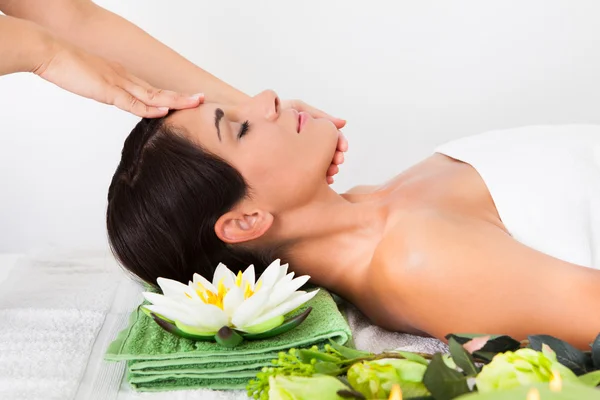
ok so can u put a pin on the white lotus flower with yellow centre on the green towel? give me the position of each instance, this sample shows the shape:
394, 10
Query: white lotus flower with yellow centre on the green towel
238, 302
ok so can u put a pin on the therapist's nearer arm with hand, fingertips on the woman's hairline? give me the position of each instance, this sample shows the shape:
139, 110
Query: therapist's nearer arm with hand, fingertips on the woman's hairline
33, 49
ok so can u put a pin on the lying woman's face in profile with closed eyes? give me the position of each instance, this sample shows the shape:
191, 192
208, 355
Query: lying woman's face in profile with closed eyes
283, 155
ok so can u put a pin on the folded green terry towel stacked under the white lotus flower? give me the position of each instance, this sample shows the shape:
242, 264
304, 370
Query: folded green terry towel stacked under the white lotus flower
158, 360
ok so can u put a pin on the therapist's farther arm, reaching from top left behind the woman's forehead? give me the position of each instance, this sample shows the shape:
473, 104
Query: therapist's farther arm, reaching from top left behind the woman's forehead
105, 34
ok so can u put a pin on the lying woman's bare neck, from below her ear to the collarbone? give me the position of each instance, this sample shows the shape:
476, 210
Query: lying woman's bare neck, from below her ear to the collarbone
333, 239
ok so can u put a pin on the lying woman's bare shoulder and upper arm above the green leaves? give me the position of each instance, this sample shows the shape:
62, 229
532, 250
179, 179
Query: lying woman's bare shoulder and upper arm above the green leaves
484, 281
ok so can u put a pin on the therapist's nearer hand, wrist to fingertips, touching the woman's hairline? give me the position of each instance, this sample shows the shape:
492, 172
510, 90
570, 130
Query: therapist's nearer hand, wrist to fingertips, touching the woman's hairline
93, 77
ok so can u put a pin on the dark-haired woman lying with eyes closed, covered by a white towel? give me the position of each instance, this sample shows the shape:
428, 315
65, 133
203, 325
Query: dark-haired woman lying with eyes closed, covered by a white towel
476, 238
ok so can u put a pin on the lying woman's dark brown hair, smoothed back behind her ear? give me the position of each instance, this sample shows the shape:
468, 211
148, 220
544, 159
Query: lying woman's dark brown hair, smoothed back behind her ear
163, 202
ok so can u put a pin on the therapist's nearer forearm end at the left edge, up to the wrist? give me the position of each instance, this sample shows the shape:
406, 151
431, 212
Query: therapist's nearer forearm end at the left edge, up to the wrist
23, 45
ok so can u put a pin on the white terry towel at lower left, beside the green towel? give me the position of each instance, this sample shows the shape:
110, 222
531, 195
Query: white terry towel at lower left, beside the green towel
51, 309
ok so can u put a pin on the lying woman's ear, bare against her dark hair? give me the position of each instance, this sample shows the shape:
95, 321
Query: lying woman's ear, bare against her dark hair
237, 226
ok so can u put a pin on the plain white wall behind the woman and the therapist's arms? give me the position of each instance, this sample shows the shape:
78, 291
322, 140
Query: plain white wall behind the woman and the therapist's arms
407, 75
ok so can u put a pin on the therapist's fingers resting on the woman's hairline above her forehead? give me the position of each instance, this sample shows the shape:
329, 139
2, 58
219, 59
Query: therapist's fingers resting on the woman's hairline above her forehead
154, 97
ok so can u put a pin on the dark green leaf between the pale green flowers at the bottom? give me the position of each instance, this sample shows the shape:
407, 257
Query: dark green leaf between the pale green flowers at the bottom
444, 383
